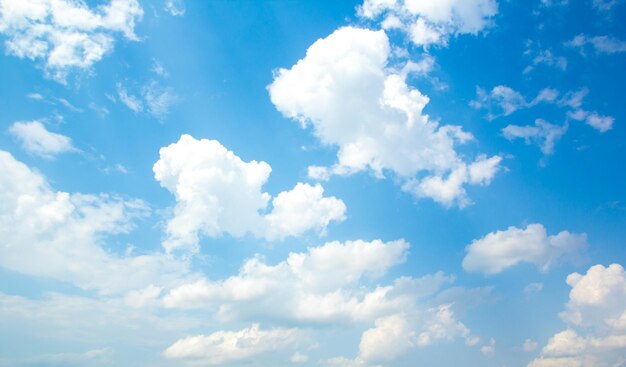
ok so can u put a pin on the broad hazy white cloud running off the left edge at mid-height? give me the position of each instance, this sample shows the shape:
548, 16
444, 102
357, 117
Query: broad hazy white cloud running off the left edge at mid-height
59, 235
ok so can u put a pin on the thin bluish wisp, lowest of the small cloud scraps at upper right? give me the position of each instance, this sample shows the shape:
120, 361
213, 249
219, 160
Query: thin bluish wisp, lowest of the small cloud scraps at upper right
543, 134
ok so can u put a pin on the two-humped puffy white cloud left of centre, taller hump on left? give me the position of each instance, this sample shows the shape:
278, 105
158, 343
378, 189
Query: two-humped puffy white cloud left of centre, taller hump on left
217, 192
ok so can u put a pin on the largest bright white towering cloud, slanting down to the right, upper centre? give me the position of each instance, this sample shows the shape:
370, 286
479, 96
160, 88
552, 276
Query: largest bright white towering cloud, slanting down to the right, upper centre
345, 91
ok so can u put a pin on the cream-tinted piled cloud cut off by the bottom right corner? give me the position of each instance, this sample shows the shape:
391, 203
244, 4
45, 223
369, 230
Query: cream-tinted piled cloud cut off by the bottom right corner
595, 314
